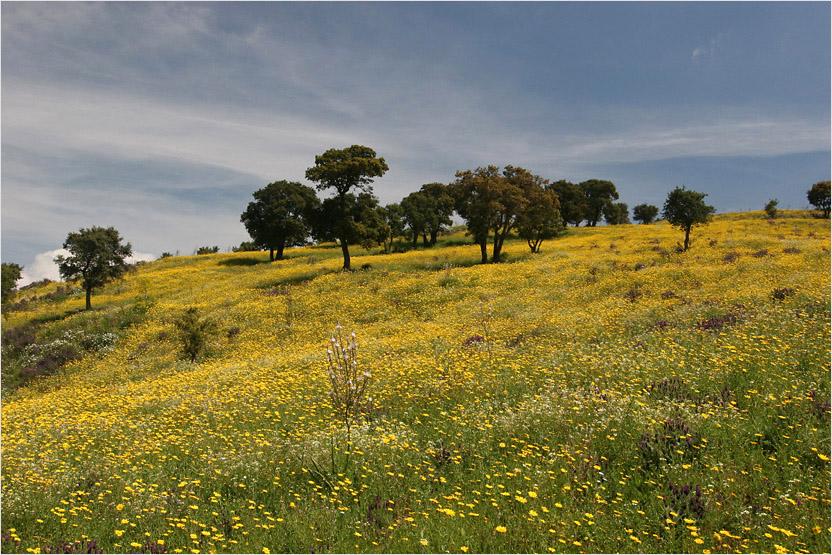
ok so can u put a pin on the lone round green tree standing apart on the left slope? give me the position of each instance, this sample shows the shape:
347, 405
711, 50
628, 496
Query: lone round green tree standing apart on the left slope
96, 257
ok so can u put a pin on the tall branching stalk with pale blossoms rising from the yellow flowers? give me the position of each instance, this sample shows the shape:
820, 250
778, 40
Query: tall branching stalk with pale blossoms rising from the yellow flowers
348, 383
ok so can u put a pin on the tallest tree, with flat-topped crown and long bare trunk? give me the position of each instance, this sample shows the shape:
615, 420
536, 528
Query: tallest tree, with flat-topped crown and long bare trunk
346, 169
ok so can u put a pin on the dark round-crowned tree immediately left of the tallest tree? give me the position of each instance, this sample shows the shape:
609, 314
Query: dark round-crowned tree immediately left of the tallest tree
279, 216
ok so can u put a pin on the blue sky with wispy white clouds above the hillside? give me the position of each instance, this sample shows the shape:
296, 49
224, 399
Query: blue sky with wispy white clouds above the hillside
162, 118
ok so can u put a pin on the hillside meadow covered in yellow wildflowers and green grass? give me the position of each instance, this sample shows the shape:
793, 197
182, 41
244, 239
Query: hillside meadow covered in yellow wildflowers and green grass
606, 395
